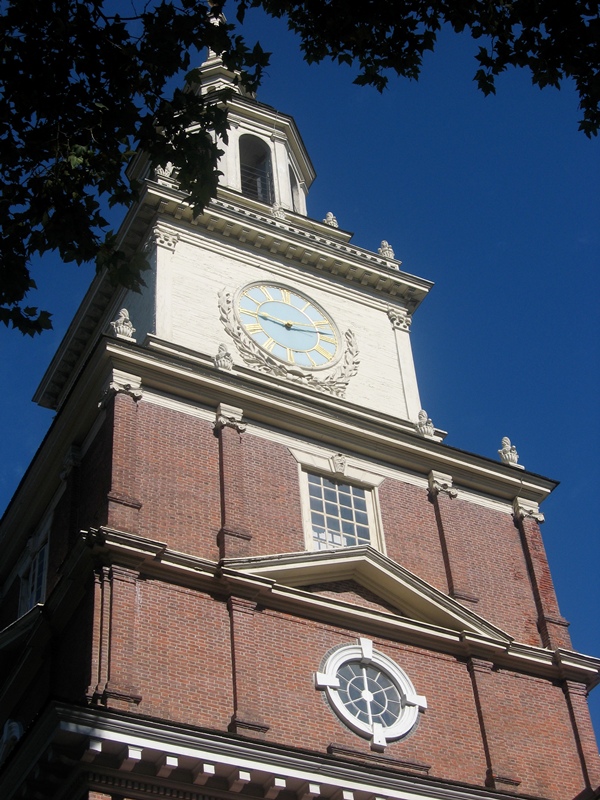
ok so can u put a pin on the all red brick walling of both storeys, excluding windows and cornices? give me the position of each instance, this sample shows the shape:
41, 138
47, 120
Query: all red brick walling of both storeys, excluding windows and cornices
205, 654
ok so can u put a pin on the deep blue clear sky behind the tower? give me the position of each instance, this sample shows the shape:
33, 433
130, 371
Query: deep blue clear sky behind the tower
495, 200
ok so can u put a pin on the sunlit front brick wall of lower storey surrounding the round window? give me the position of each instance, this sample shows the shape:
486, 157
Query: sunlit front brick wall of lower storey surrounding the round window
201, 660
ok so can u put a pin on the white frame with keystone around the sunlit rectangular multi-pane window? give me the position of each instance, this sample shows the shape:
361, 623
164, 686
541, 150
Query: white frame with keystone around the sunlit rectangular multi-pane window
346, 470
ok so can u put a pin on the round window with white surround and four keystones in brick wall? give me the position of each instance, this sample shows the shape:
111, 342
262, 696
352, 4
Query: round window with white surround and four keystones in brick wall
370, 693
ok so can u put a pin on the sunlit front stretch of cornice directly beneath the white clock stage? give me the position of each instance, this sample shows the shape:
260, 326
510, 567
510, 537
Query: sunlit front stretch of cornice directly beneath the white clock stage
165, 367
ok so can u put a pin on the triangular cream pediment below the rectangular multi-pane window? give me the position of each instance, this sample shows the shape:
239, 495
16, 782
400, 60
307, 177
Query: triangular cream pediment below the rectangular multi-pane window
386, 582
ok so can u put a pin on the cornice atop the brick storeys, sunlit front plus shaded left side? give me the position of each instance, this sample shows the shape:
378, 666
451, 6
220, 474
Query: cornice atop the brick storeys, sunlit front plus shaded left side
182, 378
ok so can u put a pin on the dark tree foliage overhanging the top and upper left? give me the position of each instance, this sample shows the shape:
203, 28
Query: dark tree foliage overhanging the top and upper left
81, 88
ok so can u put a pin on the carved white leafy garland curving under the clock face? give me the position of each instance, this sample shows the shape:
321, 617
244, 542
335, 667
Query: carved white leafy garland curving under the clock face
334, 382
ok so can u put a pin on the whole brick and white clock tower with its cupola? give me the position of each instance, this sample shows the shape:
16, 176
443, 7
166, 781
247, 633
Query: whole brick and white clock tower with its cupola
243, 561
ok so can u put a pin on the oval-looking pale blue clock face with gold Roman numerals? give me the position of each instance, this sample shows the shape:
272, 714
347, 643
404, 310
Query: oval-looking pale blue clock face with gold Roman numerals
288, 325
